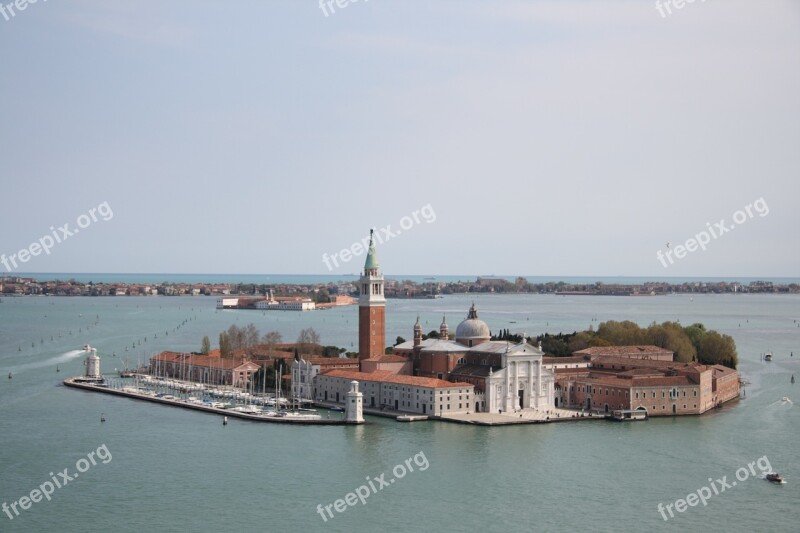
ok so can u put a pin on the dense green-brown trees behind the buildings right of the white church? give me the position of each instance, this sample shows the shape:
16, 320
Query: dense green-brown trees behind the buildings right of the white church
691, 343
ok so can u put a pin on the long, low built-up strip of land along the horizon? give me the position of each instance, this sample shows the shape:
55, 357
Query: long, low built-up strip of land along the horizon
322, 290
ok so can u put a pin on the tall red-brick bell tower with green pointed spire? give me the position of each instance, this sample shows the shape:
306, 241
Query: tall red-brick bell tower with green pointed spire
371, 308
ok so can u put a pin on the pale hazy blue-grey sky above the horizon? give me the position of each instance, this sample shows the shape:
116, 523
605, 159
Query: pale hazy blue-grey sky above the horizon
548, 138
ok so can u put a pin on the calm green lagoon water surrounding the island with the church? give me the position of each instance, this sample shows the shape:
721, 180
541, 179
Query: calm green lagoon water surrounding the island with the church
178, 470
